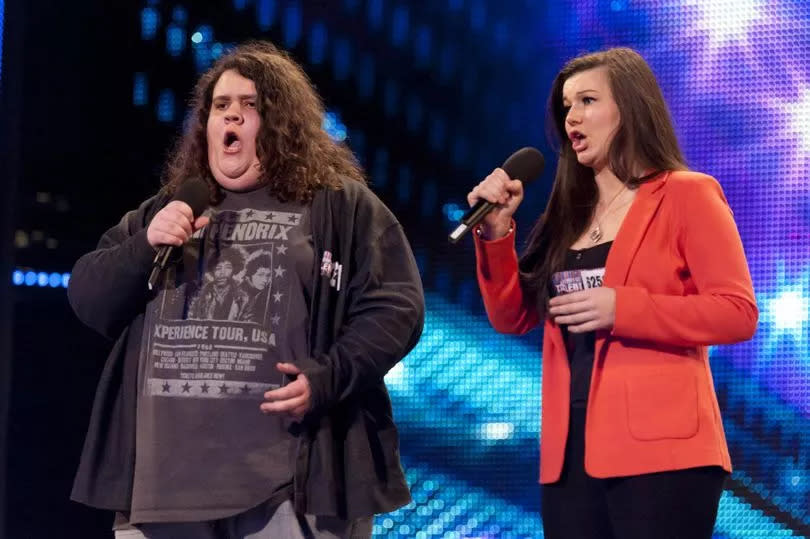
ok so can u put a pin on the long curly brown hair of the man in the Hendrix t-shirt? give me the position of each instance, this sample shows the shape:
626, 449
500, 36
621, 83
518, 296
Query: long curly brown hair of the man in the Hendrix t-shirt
297, 156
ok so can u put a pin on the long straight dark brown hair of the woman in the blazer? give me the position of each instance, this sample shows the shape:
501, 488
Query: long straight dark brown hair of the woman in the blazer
644, 140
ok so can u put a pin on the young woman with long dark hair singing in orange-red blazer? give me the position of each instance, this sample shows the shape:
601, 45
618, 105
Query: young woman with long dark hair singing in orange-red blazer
633, 270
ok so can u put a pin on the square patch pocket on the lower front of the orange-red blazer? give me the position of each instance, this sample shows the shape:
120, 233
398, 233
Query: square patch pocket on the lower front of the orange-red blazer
662, 406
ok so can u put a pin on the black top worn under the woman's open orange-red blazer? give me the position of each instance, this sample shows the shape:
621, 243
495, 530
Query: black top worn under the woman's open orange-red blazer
583, 269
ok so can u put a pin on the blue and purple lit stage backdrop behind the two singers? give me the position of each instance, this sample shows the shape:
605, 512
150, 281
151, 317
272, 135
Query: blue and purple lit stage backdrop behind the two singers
433, 95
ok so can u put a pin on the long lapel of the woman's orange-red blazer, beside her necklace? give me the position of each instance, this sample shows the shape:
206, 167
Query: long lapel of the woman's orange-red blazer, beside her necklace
632, 230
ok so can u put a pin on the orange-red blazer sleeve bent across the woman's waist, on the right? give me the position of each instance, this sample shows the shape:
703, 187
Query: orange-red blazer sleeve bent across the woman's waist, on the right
724, 308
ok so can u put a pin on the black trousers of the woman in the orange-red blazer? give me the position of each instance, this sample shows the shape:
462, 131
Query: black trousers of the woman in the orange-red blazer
680, 504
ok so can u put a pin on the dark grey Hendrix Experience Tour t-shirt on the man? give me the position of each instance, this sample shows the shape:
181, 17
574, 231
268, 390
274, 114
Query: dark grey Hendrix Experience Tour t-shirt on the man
235, 305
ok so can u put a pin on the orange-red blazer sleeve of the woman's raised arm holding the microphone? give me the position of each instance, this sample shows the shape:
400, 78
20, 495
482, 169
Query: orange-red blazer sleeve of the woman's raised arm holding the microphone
508, 308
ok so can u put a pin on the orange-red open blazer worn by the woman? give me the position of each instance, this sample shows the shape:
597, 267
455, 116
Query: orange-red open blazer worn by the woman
682, 283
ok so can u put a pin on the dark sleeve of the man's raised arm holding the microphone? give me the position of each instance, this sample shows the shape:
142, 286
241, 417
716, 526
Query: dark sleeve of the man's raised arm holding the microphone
107, 286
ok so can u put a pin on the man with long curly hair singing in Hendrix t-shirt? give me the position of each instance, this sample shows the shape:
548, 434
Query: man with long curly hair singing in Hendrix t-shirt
273, 425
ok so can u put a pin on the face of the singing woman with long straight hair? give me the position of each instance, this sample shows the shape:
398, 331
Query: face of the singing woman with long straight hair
592, 116
